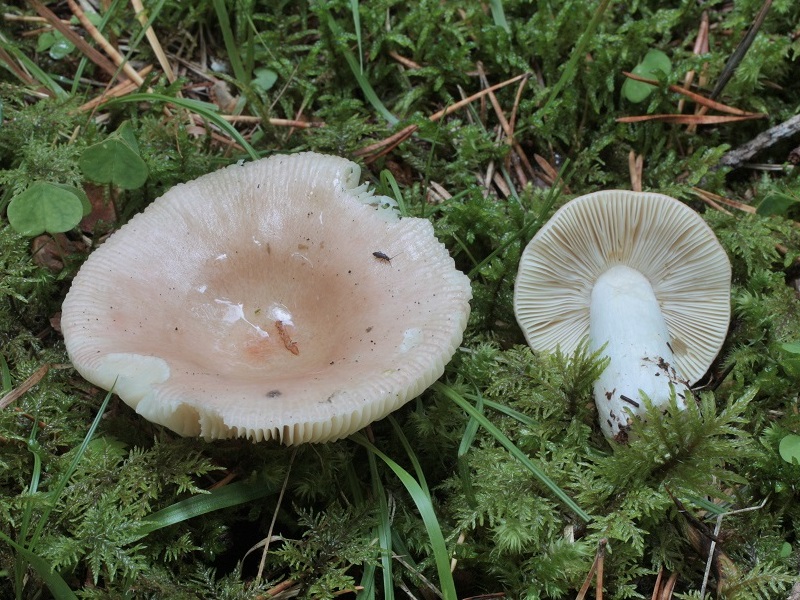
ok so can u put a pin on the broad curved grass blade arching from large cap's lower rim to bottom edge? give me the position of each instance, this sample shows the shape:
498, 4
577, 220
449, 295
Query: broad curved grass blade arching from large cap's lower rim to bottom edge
425, 508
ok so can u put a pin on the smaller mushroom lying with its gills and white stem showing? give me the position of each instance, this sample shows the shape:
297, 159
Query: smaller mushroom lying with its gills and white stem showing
644, 279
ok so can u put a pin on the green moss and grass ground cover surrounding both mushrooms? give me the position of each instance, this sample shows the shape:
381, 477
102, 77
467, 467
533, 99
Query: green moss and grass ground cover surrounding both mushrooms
497, 478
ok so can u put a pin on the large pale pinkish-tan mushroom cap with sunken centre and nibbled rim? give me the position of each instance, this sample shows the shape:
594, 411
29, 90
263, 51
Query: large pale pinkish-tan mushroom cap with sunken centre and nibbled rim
278, 299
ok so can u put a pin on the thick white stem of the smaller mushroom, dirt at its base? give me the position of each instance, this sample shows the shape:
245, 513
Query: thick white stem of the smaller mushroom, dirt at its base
626, 317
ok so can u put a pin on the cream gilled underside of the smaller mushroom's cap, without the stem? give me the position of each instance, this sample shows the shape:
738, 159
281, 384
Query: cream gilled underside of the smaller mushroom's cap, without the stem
656, 235
